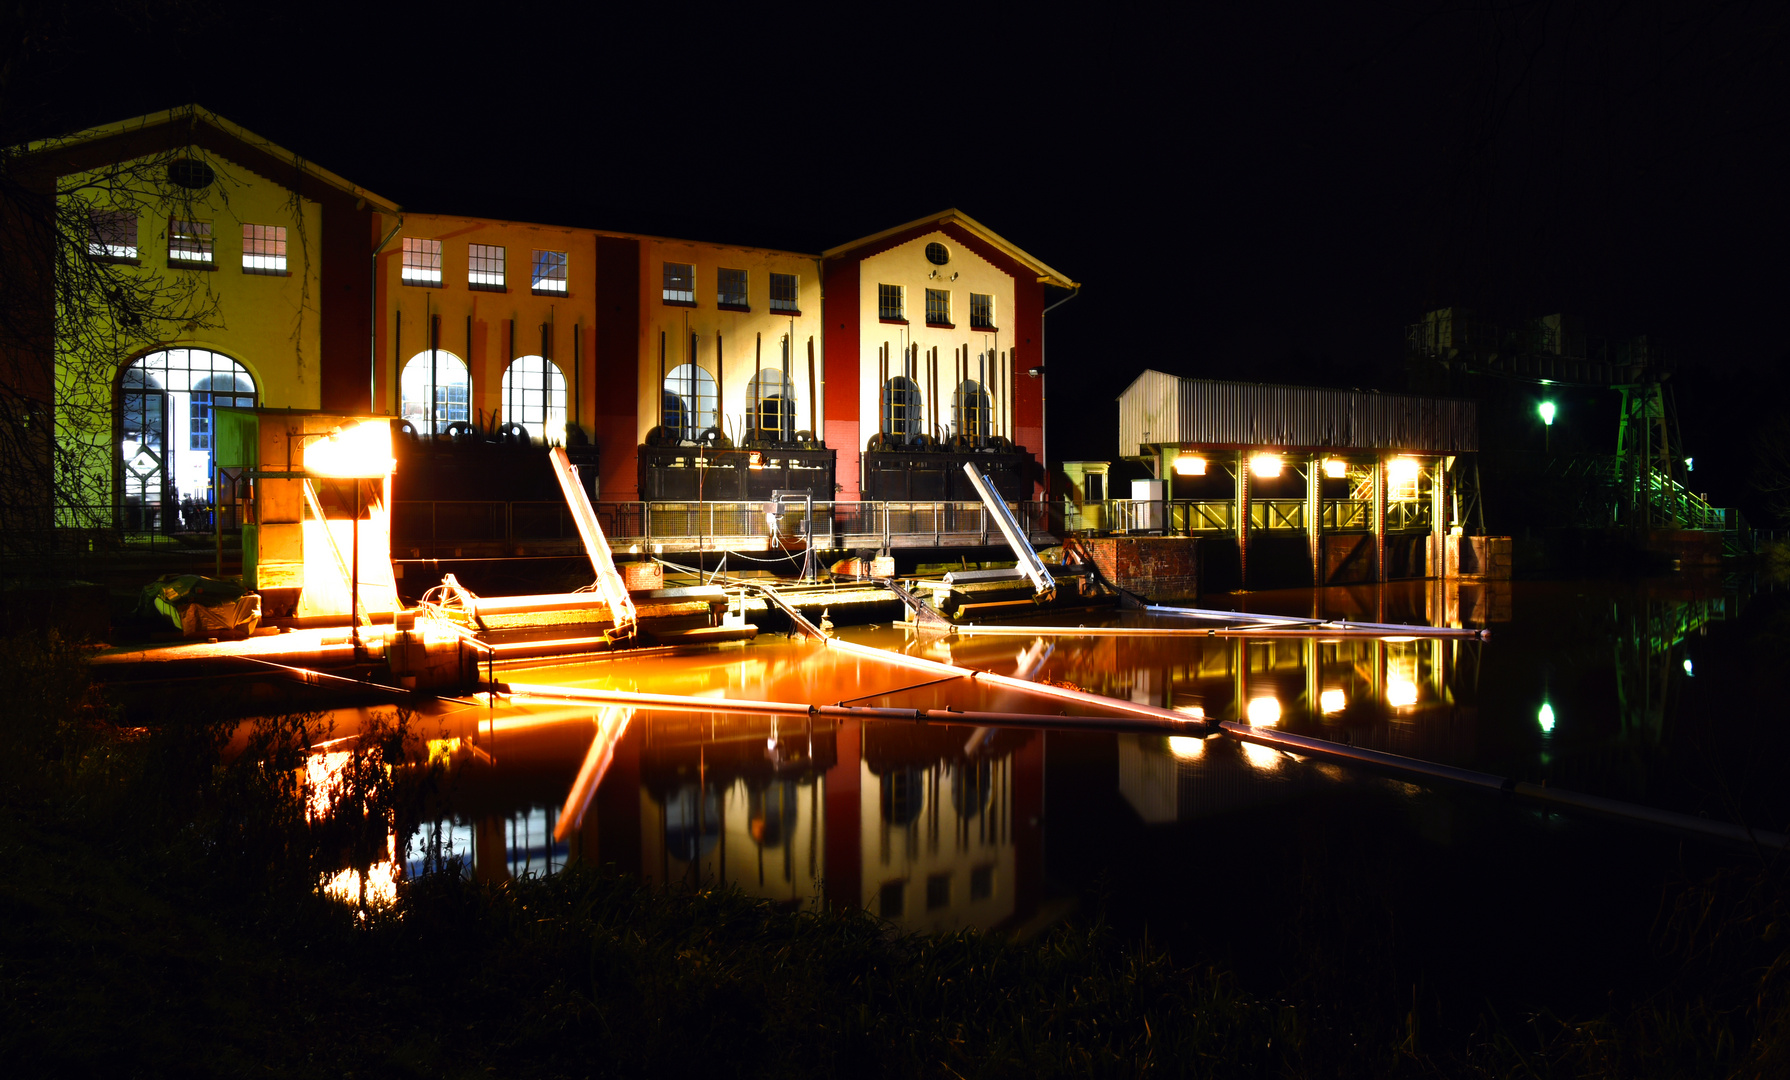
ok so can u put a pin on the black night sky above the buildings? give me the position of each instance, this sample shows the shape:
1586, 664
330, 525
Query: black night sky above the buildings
1266, 194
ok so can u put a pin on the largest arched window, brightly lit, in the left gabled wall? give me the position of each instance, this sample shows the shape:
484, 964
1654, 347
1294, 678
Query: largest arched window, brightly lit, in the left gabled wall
167, 433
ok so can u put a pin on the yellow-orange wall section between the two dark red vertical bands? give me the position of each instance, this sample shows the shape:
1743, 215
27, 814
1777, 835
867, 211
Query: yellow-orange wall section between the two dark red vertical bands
740, 330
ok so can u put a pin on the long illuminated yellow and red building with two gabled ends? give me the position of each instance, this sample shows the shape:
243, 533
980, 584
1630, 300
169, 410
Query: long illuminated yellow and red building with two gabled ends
302, 291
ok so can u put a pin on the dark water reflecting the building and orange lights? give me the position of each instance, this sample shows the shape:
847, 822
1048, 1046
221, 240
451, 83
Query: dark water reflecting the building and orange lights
1662, 692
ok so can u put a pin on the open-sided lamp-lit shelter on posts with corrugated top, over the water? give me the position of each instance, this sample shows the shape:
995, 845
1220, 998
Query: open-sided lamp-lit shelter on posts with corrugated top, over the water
1372, 481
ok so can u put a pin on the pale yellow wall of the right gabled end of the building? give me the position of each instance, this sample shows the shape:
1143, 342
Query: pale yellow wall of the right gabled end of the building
907, 266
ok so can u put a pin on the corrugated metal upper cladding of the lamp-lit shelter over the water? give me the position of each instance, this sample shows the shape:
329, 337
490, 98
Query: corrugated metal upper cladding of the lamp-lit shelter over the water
1164, 409
